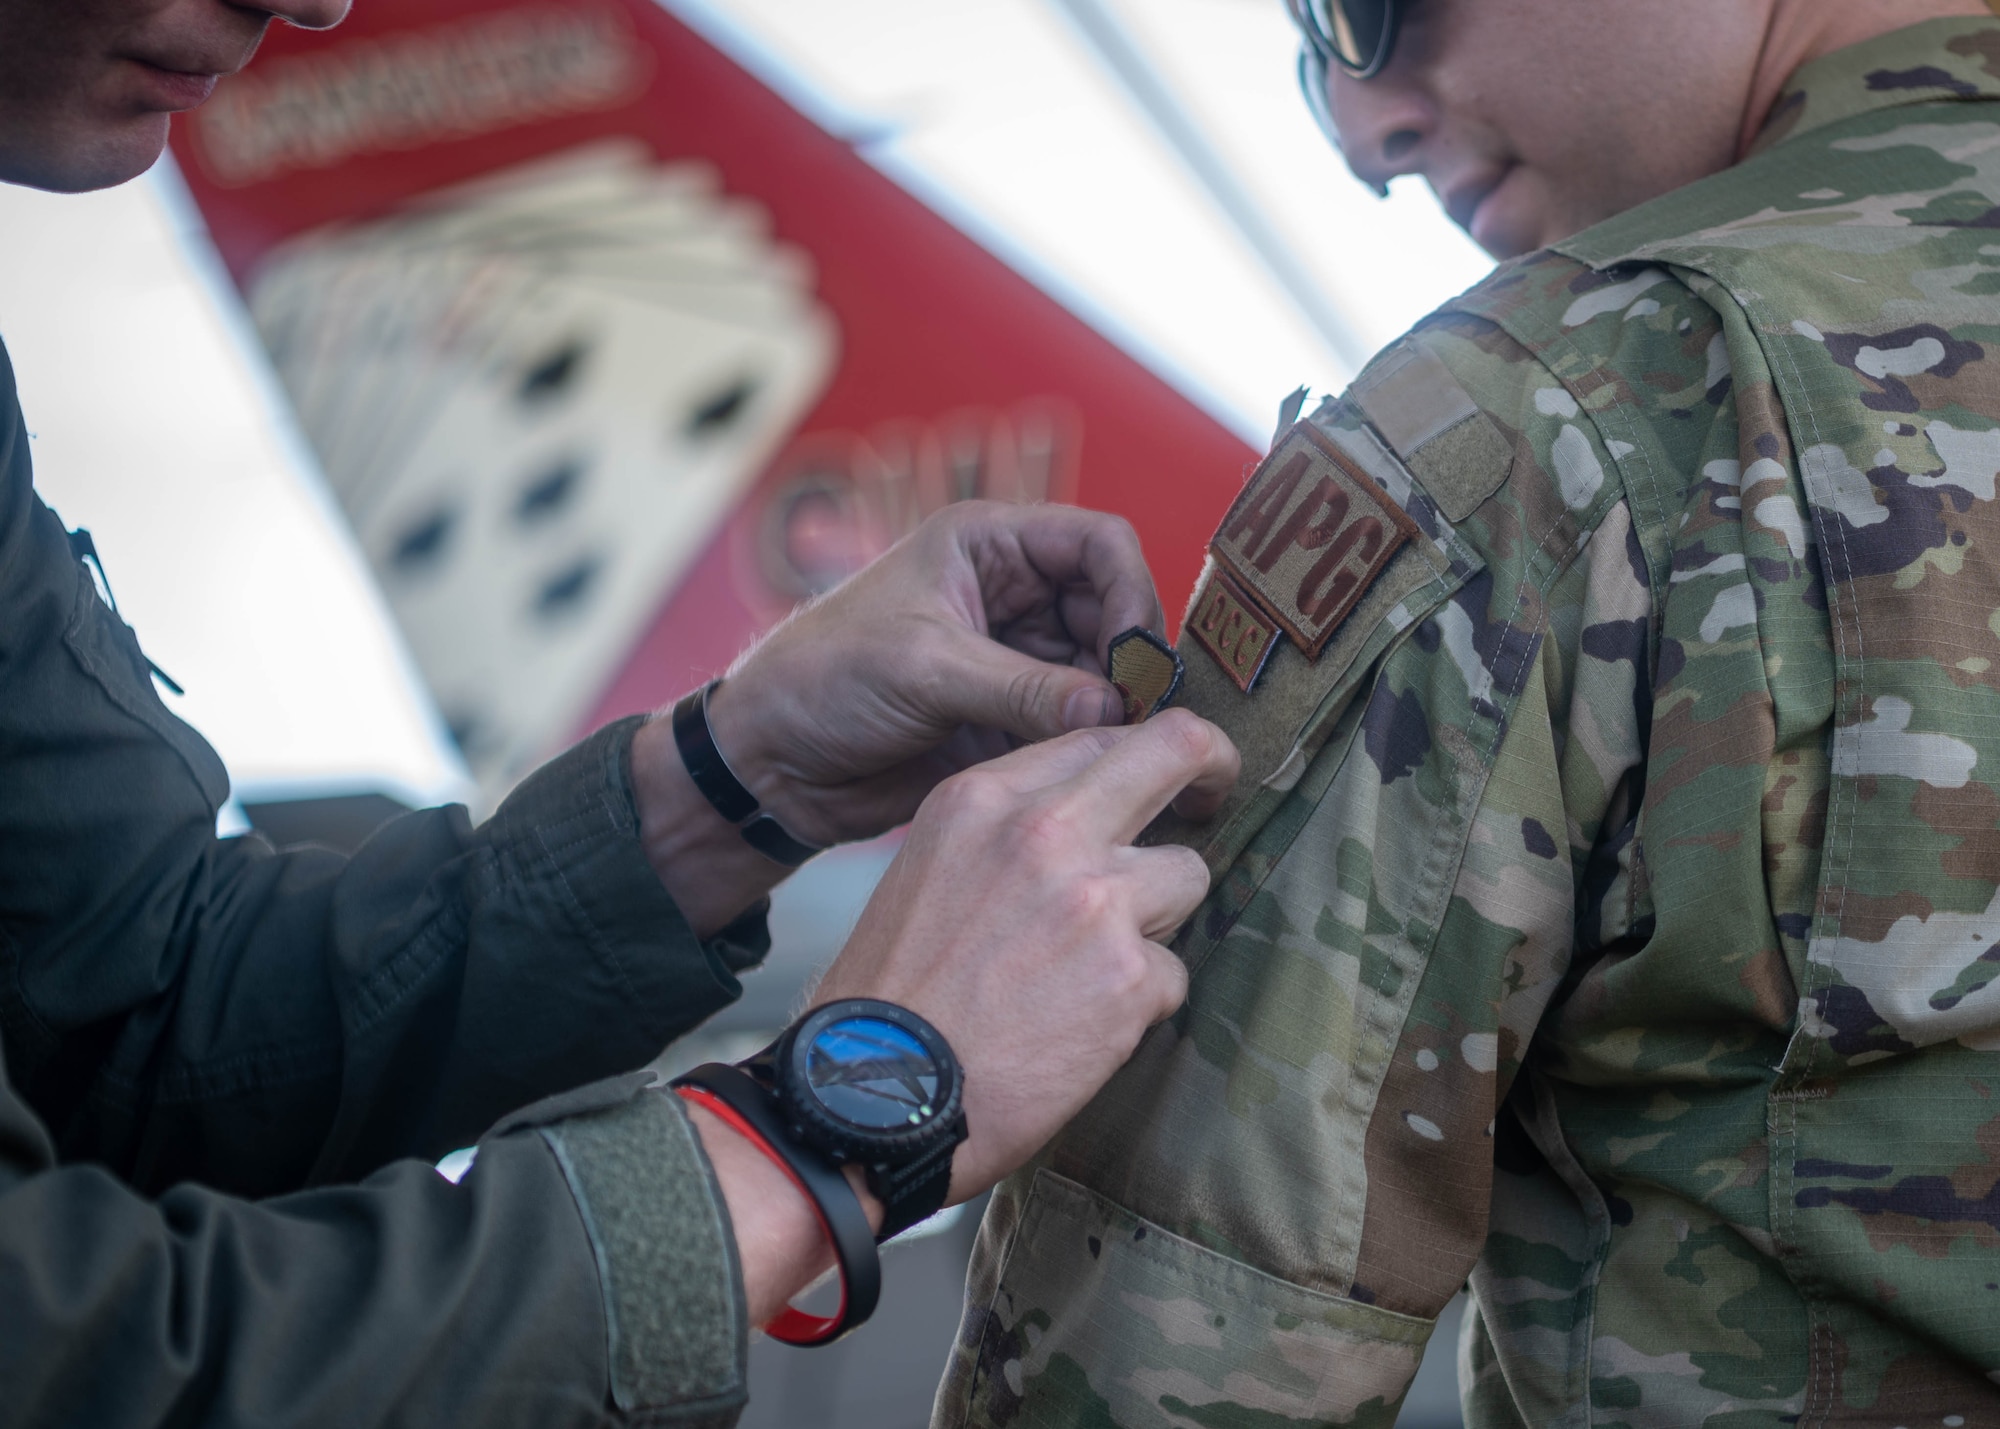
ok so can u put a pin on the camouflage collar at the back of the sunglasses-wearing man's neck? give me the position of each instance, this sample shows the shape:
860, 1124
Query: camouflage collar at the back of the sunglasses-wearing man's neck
1921, 65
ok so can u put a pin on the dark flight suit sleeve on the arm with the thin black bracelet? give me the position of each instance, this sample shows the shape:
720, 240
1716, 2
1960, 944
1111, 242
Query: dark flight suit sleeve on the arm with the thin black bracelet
183, 1008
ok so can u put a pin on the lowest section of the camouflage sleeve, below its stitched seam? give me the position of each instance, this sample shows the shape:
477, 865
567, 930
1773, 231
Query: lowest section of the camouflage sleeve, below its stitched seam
1105, 1320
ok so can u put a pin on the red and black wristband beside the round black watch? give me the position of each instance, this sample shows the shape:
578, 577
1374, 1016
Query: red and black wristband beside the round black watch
743, 1104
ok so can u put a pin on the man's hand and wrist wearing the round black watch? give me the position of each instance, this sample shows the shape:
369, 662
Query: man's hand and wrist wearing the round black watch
1021, 922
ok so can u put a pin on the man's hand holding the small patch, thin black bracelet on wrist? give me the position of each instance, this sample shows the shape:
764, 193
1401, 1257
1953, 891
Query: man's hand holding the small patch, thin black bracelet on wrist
983, 627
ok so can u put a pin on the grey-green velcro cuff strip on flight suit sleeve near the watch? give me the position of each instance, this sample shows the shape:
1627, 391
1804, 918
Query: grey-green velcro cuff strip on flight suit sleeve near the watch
665, 1250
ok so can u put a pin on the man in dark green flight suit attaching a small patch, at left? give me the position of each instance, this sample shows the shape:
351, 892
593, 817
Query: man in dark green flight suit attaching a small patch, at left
225, 1070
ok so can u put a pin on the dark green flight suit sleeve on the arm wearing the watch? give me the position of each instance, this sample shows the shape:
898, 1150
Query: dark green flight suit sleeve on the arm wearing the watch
583, 1274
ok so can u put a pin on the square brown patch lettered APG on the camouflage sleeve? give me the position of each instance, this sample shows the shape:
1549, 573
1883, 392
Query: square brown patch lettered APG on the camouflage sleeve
1309, 535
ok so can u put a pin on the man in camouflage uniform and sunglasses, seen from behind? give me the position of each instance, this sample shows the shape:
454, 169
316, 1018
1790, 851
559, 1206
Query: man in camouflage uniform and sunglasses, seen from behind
1609, 912
